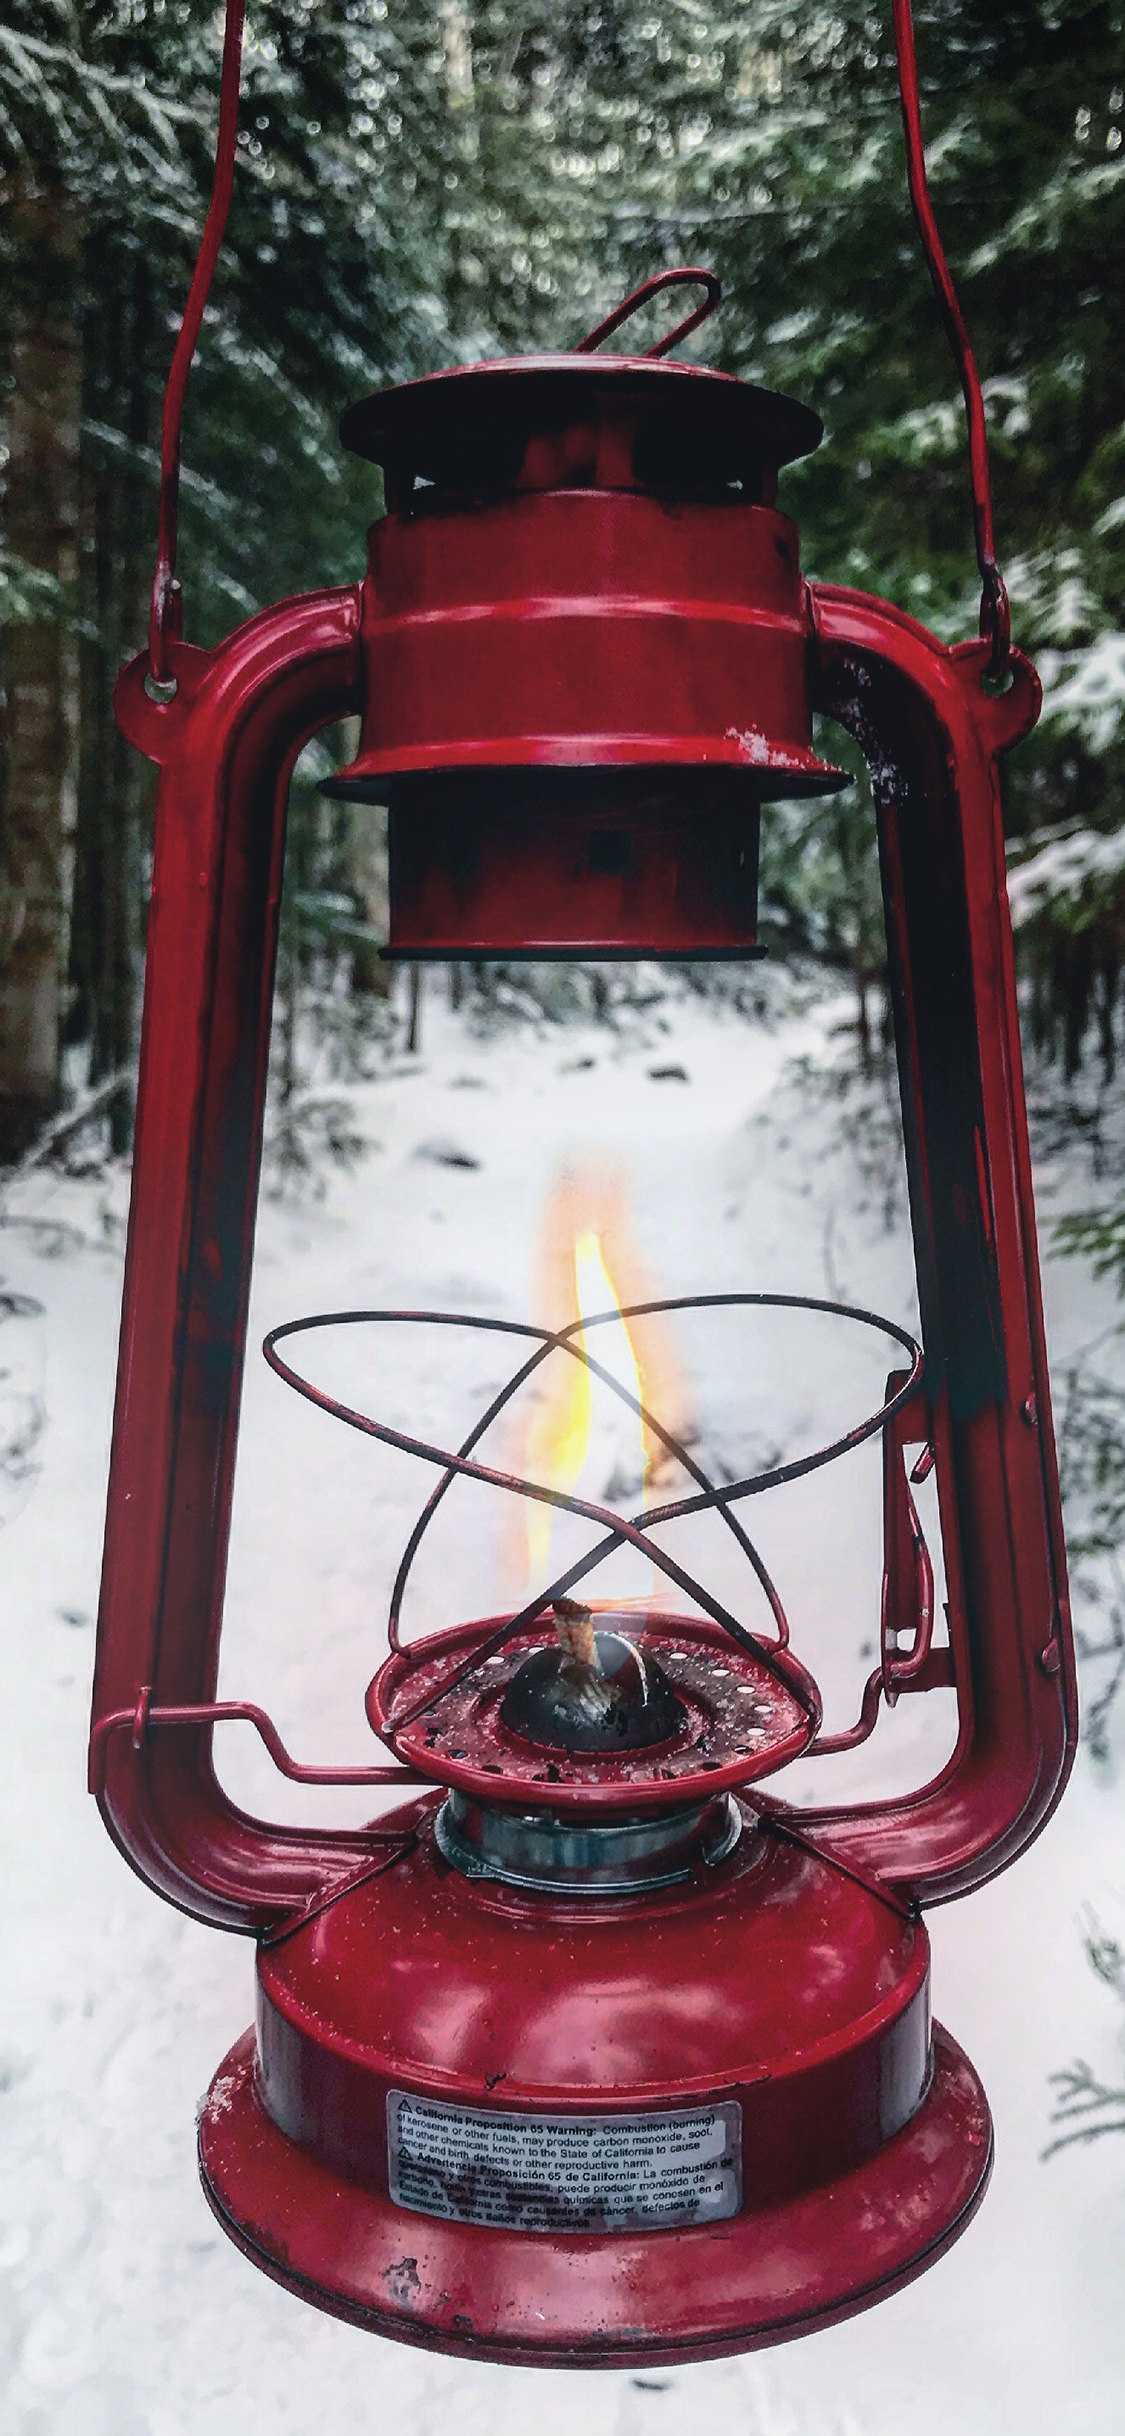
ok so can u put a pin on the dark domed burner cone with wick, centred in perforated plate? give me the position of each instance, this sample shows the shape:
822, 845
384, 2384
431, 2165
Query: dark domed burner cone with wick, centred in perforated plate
593, 1692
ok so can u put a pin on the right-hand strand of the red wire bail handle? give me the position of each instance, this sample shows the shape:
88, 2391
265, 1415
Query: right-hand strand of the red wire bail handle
995, 593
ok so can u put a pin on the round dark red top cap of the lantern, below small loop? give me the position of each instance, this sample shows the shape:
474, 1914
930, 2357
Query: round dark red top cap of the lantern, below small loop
500, 403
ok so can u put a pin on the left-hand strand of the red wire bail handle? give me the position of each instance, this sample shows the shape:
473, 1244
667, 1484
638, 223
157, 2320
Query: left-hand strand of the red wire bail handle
167, 603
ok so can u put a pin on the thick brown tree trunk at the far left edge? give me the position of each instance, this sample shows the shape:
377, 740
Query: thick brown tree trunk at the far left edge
40, 664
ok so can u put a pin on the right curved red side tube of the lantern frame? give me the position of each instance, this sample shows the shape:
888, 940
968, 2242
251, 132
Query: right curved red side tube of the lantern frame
934, 742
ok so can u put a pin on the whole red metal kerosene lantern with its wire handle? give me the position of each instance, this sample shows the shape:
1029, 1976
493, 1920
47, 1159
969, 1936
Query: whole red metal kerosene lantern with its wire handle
588, 2052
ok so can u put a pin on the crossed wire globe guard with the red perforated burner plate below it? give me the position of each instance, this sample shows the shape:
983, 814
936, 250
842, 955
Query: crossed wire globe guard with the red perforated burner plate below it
751, 1706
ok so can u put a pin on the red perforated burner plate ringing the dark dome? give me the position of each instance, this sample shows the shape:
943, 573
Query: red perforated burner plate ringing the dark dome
746, 1716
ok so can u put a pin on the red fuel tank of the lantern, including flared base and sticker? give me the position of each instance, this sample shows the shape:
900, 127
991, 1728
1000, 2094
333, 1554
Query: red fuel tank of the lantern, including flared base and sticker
569, 2130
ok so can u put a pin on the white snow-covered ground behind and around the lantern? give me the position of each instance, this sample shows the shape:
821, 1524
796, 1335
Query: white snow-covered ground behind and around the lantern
125, 2311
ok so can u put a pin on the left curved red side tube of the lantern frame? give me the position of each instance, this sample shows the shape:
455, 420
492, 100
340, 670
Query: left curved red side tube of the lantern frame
225, 747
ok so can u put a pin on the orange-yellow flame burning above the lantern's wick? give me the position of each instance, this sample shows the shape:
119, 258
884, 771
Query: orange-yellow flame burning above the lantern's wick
581, 1436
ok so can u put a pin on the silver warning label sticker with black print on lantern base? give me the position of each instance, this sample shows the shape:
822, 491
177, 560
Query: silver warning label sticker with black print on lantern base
583, 2174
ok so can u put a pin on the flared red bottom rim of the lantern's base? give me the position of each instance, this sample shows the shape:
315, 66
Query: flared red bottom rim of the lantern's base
564, 2303
